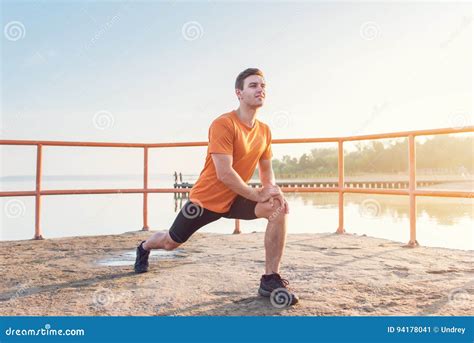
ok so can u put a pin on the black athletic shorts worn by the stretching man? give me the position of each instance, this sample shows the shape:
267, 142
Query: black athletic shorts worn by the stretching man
192, 217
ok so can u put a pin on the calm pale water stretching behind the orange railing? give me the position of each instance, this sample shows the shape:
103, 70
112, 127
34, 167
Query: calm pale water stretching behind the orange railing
441, 222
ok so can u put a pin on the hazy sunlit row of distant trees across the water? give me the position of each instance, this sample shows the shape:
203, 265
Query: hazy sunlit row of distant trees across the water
440, 154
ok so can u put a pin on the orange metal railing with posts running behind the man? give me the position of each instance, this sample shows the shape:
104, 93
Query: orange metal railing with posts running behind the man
341, 189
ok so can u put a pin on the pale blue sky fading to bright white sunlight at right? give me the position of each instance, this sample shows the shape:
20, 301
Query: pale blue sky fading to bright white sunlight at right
150, 71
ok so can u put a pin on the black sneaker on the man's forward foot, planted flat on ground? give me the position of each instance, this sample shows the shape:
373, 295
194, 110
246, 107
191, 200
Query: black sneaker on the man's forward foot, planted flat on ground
276, 288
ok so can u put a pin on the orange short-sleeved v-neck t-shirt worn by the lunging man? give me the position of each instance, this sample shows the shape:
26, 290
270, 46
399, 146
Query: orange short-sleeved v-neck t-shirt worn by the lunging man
228, 135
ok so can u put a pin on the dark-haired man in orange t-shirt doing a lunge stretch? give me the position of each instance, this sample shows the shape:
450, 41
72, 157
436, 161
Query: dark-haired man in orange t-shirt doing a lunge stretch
237, 142
